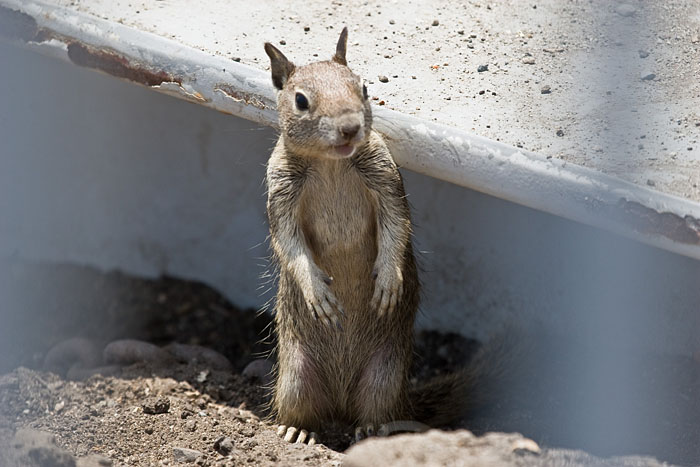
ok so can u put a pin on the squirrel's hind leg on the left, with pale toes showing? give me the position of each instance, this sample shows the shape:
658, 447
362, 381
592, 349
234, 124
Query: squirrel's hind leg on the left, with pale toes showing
299, 400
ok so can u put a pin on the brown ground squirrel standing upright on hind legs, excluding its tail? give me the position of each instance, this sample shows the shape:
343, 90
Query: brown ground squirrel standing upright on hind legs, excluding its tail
340, 232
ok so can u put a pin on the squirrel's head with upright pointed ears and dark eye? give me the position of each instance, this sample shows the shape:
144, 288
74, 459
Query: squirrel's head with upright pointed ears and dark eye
323, 106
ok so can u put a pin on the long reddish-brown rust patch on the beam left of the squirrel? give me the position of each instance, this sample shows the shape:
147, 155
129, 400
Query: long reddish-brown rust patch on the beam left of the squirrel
116, 65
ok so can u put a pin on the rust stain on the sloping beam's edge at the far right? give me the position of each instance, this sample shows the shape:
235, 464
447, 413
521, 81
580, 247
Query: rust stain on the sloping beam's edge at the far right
649, 221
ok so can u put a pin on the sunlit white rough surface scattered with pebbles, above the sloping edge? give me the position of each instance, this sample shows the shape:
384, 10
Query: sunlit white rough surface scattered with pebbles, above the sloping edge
606, 85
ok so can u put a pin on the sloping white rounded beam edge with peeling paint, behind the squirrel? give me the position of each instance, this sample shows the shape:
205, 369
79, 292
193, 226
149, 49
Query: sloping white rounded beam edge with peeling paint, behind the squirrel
450, 154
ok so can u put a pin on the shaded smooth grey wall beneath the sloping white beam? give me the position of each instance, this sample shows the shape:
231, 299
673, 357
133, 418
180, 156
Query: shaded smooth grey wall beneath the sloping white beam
101, 172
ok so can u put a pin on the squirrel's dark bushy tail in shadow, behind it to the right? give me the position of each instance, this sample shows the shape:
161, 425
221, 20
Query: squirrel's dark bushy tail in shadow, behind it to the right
447, 399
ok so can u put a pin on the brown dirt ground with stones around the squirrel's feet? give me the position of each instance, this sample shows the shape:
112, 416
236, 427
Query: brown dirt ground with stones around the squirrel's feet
163, 404
